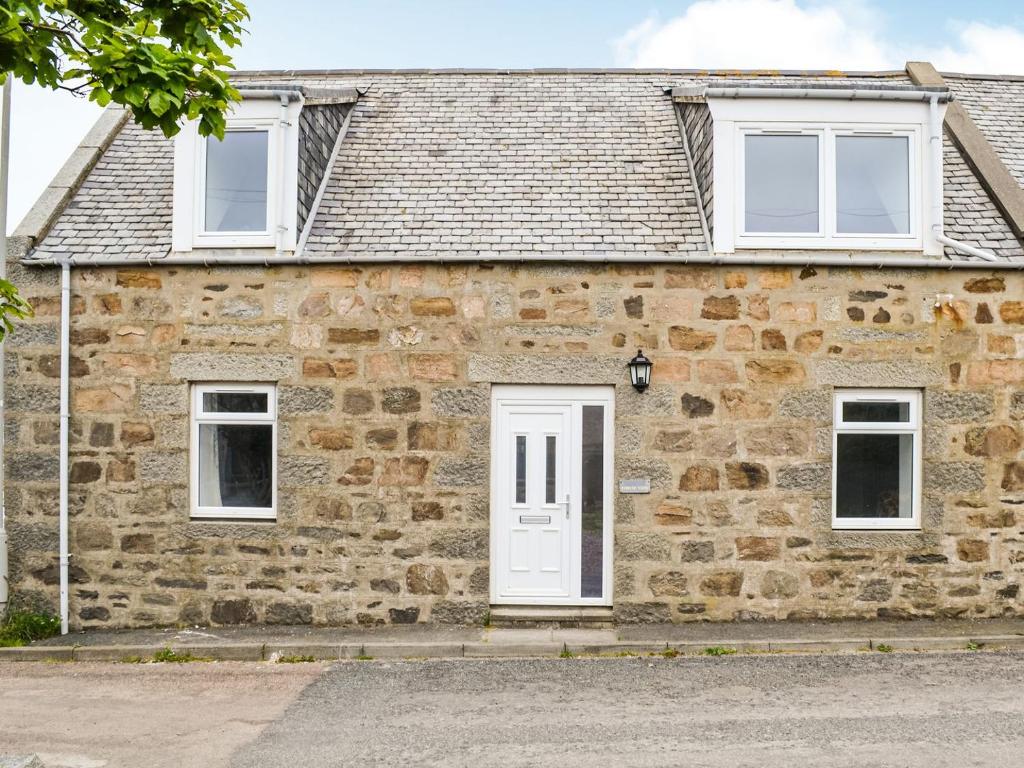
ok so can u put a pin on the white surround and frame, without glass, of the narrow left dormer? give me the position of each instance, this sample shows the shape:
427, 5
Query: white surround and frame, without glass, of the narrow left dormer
191, 163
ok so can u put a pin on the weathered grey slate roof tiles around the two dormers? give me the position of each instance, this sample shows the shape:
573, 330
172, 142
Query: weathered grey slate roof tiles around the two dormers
517, 162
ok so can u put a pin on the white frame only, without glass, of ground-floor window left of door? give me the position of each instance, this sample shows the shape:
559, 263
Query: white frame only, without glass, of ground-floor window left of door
201, 416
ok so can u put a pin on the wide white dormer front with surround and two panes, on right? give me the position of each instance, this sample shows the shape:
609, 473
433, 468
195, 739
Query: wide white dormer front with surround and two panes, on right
819, 175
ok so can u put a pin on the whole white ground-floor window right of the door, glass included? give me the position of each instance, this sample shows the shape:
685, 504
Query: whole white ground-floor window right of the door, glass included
877, 459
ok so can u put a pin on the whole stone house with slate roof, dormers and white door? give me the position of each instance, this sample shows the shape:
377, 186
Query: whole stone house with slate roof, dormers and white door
367, 360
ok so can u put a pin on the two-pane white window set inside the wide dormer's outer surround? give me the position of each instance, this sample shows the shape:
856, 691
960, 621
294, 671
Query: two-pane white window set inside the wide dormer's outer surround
813, 186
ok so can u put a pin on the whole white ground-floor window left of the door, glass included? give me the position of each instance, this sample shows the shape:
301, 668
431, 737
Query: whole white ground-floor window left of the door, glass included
234, 464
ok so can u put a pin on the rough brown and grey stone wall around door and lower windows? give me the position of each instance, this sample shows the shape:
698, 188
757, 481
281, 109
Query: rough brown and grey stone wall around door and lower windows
385, 374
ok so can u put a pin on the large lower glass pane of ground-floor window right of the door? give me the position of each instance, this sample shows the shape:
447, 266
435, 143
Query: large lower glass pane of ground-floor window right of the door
875, 476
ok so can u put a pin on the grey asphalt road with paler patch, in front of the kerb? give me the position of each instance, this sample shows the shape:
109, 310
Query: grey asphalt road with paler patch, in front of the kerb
860, 710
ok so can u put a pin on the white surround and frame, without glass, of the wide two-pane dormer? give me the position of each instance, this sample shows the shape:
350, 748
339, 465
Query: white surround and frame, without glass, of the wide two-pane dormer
830, 122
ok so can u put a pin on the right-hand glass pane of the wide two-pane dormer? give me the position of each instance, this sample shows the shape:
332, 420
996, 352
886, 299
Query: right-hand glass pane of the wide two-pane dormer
873, 186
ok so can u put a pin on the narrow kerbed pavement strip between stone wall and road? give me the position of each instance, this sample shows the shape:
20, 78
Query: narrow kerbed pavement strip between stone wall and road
424, 642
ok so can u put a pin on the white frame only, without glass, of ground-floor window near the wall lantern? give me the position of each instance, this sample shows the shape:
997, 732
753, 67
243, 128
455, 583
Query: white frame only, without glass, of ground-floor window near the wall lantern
913, 428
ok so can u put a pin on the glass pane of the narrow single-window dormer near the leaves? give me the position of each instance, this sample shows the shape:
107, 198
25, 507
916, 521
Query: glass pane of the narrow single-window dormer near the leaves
236, 183
